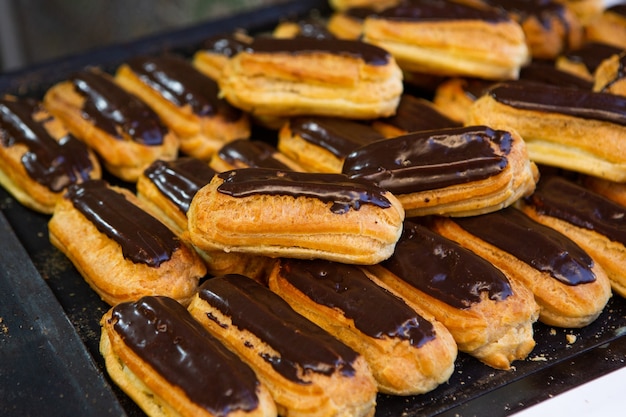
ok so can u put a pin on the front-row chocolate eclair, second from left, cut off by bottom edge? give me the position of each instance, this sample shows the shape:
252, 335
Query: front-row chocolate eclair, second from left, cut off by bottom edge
308, 371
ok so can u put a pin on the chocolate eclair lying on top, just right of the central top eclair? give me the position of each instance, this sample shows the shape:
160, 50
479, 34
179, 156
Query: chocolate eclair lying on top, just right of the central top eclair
454, 171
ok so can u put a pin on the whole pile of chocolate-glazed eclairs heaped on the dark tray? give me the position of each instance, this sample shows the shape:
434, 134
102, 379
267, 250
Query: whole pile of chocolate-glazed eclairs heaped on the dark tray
441, 176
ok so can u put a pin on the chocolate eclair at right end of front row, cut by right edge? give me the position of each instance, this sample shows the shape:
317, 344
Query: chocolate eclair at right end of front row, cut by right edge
594, 222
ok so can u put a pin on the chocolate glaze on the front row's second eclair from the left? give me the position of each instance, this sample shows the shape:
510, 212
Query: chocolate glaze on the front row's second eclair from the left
302, 346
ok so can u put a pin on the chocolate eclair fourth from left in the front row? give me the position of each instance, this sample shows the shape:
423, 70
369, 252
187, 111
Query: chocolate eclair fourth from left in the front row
489, 315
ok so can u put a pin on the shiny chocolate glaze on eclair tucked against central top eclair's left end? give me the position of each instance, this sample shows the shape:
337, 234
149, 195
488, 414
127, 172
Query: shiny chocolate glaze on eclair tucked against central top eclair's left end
179, 180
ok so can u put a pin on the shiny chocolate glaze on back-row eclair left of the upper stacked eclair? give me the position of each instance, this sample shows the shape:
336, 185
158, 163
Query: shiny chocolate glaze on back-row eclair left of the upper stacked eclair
180, 83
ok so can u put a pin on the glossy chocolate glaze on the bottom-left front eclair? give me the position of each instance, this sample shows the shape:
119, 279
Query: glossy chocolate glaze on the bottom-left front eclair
165, 336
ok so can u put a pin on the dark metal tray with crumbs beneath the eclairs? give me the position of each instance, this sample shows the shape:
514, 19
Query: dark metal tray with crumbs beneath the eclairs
49, 317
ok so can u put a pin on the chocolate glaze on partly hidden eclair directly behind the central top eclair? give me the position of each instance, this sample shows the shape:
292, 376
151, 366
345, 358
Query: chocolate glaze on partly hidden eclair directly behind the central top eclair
337, 136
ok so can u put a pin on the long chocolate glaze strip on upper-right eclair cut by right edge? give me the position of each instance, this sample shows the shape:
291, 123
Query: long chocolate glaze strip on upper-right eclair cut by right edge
554, 99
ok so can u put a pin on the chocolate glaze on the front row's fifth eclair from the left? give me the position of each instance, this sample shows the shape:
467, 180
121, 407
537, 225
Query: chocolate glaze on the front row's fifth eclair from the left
537, 245
